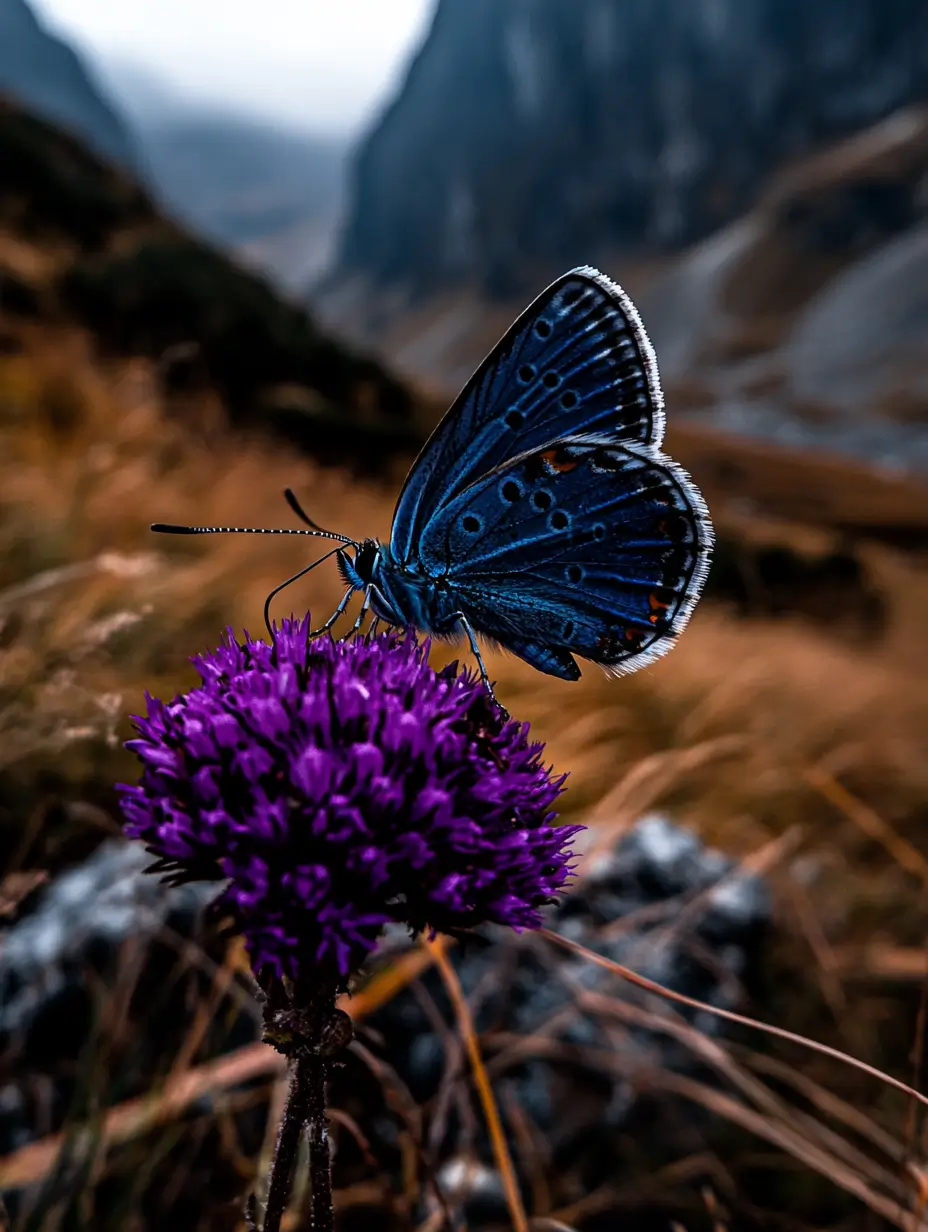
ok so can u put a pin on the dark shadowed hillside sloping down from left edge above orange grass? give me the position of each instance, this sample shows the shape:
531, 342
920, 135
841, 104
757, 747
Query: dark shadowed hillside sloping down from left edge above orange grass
83, 247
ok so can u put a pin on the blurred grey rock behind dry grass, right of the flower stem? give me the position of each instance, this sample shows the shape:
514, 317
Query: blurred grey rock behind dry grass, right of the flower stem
660, 902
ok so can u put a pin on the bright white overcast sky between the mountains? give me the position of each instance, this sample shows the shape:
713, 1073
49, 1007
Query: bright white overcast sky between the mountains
322, 65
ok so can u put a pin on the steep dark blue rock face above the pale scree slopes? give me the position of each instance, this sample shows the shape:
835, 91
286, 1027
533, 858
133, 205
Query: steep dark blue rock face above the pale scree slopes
533, 135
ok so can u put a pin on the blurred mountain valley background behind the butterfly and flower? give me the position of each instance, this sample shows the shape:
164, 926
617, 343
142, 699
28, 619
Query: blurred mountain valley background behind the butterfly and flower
246, 247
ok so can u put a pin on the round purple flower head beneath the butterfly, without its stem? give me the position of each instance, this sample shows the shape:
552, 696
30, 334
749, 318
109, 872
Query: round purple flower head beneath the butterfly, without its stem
342, 785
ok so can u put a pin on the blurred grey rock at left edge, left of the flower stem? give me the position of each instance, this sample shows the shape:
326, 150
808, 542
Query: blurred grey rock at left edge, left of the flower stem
104, 927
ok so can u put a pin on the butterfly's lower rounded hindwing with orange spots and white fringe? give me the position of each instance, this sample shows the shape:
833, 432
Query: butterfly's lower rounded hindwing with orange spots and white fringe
592, 550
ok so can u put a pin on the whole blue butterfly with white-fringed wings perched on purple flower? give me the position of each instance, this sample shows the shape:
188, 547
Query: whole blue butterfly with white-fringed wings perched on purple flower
542, 513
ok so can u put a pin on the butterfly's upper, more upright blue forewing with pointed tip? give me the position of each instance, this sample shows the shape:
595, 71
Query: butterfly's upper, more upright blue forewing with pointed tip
577, 362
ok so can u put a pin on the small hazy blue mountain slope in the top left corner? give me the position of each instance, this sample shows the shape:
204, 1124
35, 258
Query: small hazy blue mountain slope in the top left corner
47, 76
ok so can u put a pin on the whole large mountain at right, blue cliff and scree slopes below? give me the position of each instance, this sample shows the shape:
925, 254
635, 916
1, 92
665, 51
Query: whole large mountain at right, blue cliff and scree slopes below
752, 172
